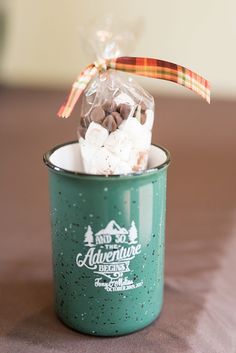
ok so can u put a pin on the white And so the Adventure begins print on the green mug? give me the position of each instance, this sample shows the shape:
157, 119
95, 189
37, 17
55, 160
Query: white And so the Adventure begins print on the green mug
110, 252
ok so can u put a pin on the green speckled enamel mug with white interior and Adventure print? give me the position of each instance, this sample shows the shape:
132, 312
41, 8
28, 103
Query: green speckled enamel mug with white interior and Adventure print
108, 235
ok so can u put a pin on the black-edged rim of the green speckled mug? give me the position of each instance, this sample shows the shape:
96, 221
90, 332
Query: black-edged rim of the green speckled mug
59, 170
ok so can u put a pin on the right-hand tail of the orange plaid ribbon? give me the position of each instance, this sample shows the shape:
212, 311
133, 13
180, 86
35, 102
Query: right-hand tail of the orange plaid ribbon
163, 70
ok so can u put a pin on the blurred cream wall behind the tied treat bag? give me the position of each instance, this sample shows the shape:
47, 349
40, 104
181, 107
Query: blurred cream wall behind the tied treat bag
41, 43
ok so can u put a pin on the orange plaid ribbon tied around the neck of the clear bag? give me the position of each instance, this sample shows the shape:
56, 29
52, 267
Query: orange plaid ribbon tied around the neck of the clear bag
147, 67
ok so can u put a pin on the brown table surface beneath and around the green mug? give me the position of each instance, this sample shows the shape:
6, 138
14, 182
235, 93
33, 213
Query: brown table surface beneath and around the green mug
199, 312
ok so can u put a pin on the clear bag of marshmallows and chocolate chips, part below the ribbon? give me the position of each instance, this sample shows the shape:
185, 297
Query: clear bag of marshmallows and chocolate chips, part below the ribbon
116, 125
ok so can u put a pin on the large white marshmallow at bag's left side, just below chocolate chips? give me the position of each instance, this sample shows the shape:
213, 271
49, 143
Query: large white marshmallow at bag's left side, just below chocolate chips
96, 134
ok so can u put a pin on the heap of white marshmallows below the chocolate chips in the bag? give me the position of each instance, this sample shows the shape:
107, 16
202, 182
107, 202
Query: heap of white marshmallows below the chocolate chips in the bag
120, 152
